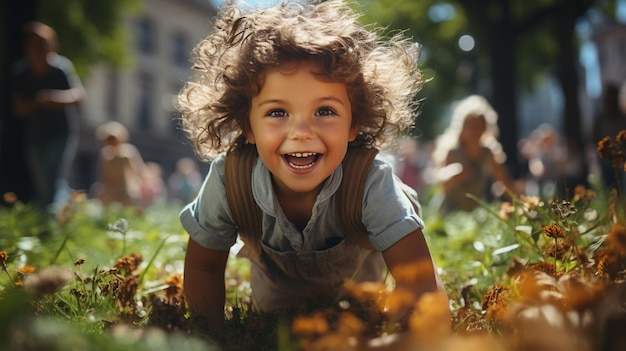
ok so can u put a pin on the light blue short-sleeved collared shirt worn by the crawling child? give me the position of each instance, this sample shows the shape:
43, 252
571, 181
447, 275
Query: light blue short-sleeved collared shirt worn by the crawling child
388, 215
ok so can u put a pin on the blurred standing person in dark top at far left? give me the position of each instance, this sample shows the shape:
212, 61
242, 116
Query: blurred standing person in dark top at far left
45, 93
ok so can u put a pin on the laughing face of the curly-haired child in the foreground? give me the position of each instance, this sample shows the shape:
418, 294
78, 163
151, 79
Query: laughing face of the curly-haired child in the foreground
301, 126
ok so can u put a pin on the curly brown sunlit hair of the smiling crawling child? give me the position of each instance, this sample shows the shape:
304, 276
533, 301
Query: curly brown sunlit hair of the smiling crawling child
381, 72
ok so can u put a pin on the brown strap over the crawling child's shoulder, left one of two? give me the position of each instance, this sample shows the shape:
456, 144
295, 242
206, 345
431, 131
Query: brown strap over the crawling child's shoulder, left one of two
238, 183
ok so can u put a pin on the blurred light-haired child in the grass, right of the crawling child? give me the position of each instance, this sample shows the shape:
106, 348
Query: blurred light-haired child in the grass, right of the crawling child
468, 155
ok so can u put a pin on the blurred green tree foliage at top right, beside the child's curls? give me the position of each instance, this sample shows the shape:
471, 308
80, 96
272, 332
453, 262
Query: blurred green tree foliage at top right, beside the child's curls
456, 73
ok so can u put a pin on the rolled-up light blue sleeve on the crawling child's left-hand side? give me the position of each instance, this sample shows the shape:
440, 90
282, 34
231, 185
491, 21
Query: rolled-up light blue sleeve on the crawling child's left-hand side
208, 219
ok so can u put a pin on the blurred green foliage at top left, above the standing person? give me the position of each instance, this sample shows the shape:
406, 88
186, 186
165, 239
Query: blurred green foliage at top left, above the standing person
90, 31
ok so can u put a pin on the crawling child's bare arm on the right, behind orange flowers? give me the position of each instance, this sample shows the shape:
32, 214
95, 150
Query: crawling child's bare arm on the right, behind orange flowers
412, 252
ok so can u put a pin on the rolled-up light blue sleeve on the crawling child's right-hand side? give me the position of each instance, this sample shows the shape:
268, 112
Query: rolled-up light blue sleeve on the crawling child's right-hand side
388, 214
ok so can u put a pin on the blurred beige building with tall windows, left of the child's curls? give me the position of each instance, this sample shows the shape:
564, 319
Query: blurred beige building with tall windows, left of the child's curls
141, 94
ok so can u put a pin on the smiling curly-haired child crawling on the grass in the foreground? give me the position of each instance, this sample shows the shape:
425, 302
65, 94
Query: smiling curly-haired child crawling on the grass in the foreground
301, 84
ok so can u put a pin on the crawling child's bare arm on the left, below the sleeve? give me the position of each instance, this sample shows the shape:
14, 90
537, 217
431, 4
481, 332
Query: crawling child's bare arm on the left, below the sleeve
204, 283
